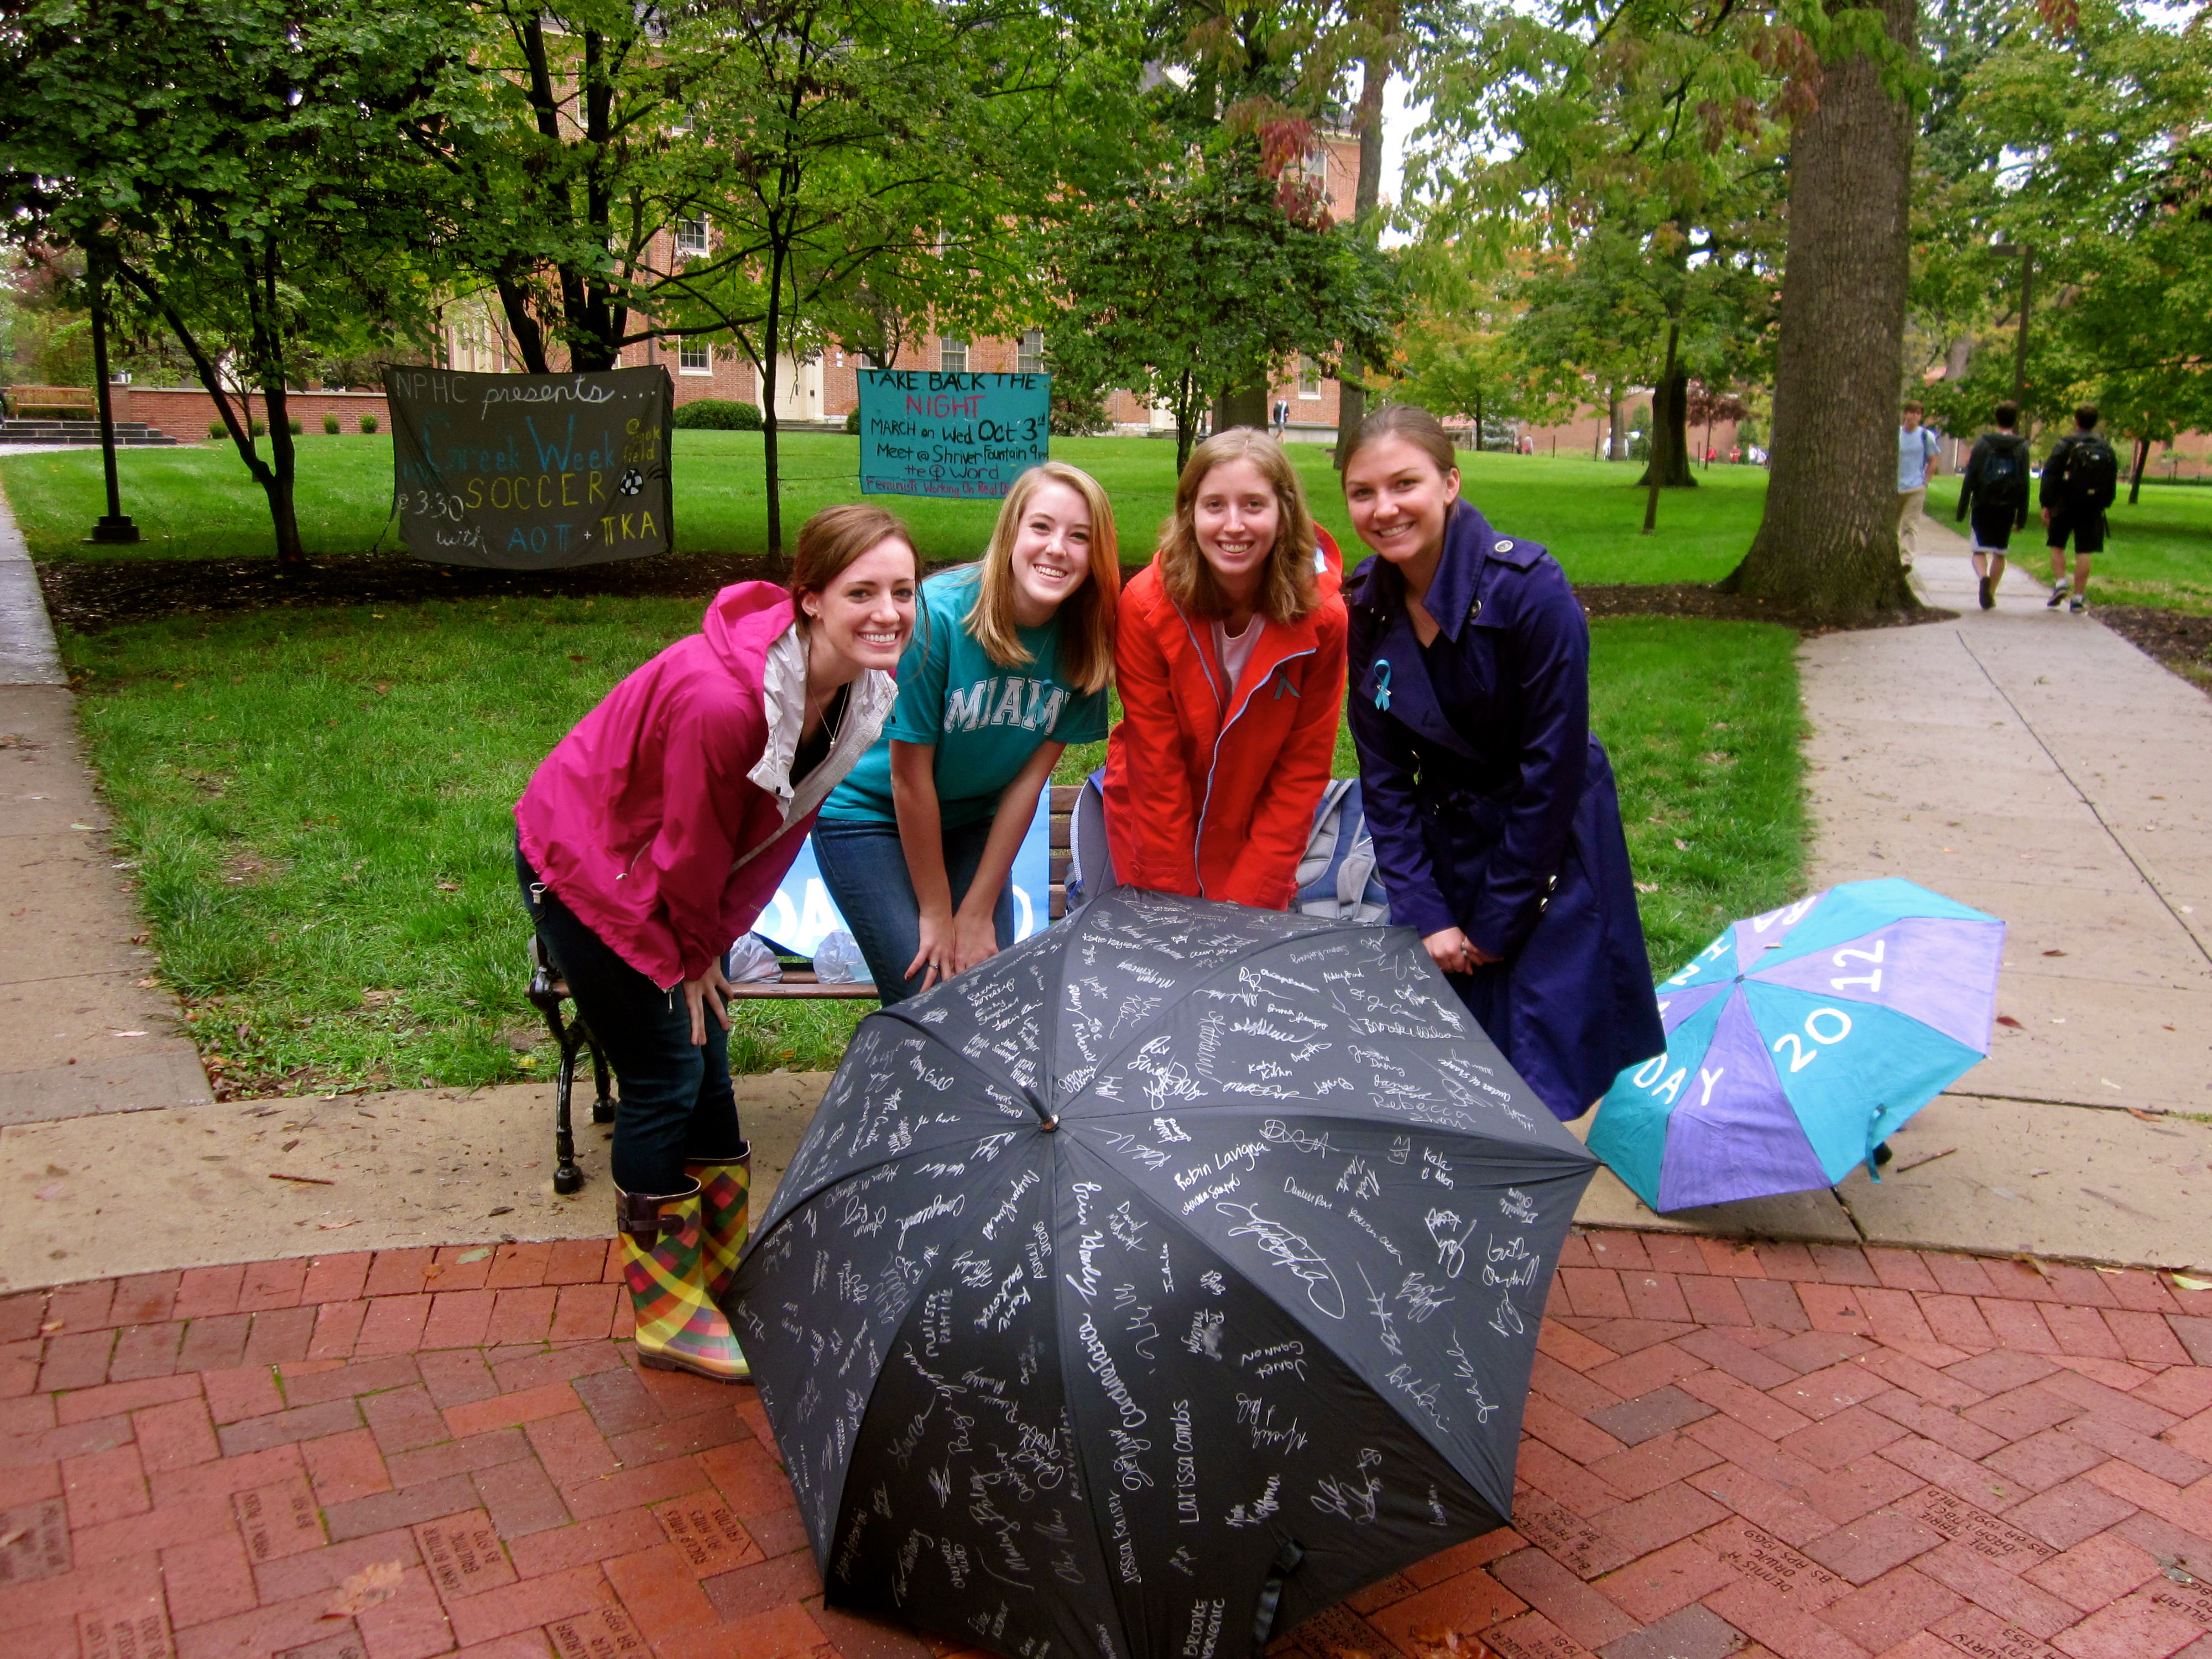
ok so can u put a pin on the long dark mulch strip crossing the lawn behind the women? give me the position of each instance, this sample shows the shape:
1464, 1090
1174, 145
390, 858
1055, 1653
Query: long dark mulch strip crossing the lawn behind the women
87, 596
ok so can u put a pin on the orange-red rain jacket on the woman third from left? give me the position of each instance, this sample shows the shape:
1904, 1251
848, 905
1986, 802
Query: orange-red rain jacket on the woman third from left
1211, 793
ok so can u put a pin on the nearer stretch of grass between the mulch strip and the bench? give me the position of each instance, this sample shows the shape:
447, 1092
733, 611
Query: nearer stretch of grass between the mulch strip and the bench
315, 806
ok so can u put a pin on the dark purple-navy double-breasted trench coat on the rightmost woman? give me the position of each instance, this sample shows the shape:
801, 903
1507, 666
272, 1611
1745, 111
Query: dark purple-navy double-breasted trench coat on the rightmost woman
1492, 806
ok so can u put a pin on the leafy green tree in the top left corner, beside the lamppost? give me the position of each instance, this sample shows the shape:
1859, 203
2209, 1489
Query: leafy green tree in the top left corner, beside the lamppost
229, 165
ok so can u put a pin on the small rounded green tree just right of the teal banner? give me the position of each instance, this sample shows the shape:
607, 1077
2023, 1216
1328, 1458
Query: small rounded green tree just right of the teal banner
1200, 280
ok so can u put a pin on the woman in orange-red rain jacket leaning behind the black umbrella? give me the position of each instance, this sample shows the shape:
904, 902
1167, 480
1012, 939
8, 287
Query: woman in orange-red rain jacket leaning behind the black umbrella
1231, 662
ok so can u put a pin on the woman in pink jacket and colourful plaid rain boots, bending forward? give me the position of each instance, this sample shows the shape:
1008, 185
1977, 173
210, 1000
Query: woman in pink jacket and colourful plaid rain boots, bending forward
654, 835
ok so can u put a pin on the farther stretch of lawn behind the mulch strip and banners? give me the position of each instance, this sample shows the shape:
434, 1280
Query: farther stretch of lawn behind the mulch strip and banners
200, 503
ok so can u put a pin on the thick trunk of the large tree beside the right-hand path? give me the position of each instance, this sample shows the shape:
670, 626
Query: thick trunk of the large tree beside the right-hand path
1830, 534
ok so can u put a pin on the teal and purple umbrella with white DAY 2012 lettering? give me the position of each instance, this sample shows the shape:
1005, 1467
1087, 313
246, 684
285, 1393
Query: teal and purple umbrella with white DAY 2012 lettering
1799, 1041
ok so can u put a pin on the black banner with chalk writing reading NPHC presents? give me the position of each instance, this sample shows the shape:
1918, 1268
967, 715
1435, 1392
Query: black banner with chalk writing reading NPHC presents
532, 472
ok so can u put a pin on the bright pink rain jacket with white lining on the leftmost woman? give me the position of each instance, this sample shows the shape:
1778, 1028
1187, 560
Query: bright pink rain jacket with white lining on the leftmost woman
645, 815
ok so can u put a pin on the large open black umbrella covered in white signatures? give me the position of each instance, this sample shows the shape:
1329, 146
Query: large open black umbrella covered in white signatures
1158, 1284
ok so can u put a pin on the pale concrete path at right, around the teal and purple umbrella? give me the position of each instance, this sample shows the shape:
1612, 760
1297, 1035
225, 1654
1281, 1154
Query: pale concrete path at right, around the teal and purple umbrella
2045, 771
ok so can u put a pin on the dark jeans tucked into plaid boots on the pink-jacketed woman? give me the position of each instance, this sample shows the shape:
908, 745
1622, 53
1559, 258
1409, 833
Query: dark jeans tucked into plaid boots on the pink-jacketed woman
676, 1096
